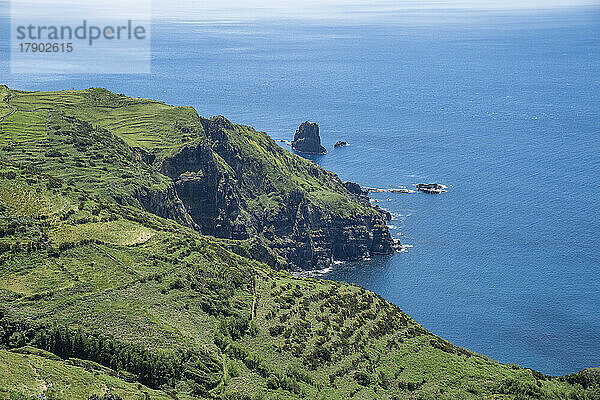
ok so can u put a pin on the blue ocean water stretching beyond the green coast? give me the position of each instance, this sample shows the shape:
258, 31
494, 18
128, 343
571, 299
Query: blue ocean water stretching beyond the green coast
503, 107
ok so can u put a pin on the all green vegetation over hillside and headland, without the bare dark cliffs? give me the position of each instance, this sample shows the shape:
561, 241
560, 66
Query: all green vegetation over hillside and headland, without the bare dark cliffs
100, 298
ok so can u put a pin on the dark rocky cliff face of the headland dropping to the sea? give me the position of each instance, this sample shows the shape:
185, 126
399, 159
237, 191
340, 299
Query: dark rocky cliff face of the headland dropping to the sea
216, 184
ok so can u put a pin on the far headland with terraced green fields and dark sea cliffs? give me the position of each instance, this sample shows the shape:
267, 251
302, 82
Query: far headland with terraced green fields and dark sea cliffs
226, 180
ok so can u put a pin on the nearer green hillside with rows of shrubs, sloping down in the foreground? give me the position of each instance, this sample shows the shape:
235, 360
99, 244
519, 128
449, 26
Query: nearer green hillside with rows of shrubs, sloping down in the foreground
147, 300
